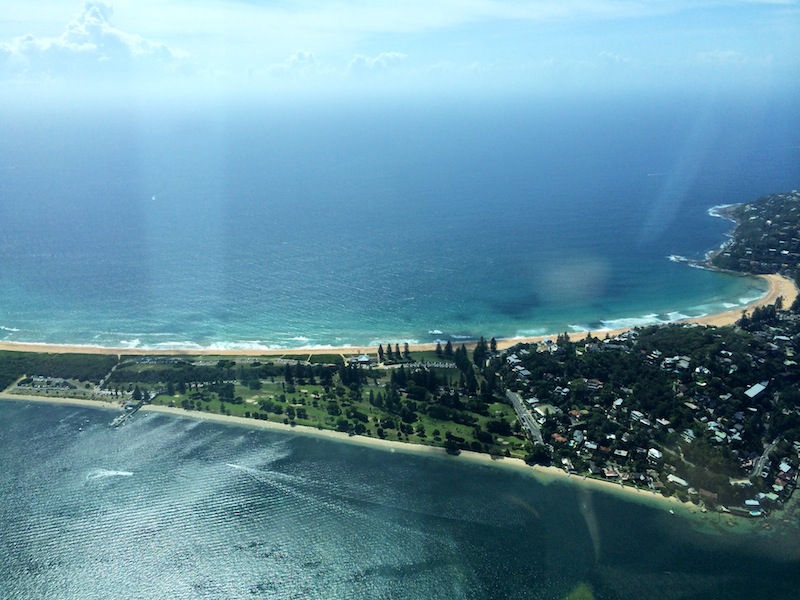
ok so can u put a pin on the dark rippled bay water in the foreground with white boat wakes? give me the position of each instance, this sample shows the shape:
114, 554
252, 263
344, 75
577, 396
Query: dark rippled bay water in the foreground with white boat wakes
168, 507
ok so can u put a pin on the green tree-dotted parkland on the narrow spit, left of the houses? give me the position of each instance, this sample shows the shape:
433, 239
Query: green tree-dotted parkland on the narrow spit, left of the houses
424, 399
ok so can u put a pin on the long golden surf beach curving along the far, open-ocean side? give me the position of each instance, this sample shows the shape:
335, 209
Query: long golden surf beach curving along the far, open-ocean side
778, 286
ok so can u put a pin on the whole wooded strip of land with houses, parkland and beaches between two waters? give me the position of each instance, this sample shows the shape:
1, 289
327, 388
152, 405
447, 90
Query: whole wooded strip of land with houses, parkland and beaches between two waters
707, 411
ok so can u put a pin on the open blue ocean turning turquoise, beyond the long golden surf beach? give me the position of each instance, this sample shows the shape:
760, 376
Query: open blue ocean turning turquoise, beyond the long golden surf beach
233, 224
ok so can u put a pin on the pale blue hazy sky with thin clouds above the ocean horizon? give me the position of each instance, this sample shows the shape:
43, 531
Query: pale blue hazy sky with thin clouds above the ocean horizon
411, 46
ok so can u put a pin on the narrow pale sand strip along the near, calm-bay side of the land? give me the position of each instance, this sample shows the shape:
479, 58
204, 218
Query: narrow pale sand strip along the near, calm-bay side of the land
543, 475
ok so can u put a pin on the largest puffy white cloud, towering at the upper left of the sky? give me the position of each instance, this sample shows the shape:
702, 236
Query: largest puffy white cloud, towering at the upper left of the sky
89, 45
